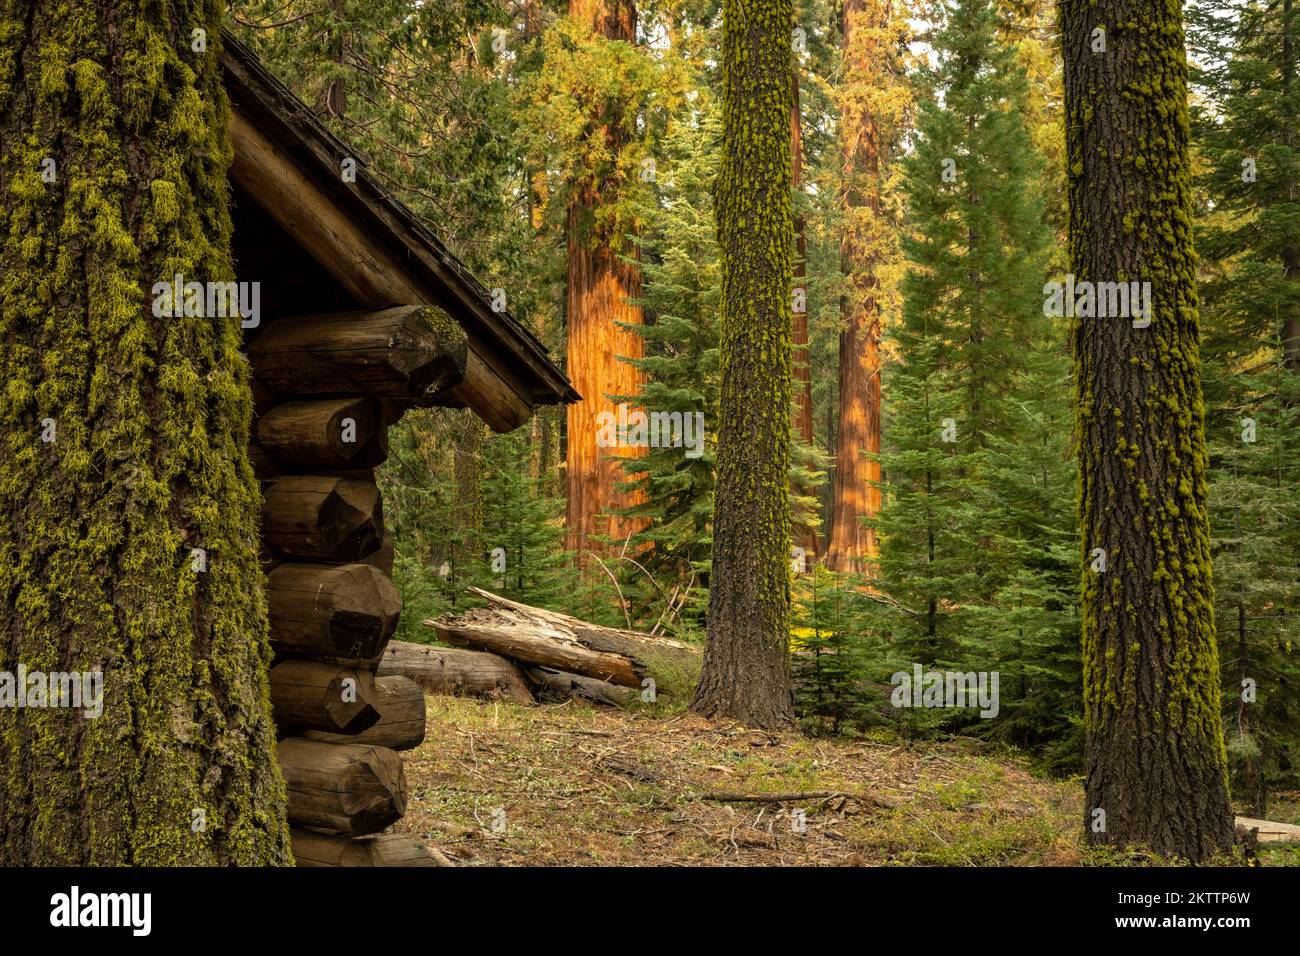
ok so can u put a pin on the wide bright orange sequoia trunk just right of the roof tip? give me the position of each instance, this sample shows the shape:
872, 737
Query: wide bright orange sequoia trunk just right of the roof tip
599, 297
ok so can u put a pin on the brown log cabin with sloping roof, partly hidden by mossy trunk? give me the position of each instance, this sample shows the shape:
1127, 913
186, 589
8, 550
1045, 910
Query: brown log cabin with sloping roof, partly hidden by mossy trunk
365, 315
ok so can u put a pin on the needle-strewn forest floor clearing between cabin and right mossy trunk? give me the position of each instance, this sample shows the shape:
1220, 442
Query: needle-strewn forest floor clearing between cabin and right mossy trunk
575, 785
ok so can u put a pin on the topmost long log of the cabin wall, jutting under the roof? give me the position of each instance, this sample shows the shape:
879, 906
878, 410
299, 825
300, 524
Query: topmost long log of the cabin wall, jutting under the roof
409, 352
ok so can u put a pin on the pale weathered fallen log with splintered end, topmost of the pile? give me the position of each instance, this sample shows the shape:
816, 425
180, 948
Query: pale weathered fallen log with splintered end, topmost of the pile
562, 643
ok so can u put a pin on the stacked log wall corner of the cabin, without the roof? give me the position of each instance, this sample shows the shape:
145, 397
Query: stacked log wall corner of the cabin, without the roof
320, 430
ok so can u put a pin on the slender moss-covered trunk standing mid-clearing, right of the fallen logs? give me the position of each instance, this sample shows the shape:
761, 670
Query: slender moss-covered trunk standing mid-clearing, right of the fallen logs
747, 672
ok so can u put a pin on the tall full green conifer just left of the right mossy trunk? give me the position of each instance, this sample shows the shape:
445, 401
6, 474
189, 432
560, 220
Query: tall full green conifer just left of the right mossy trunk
972, 319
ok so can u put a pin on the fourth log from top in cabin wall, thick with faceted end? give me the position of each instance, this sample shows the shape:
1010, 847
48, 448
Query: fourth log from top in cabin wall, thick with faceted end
320, 611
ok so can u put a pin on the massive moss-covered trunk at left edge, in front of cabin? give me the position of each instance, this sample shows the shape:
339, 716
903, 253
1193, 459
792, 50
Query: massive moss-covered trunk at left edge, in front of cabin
124, 449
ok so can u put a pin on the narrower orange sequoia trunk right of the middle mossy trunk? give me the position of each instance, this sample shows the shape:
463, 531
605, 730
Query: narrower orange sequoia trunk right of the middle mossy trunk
856, 494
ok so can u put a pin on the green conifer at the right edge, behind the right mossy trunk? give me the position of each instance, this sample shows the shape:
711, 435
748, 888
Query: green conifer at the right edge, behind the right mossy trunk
1247, 127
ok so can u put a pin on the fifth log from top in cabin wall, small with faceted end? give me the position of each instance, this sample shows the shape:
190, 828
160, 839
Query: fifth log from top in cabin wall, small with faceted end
311, 695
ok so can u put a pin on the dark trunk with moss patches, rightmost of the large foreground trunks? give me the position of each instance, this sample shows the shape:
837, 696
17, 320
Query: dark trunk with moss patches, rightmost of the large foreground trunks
1155, 754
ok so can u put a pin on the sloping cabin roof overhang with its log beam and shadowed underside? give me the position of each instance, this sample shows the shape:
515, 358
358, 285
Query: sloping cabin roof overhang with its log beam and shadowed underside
376, 249
